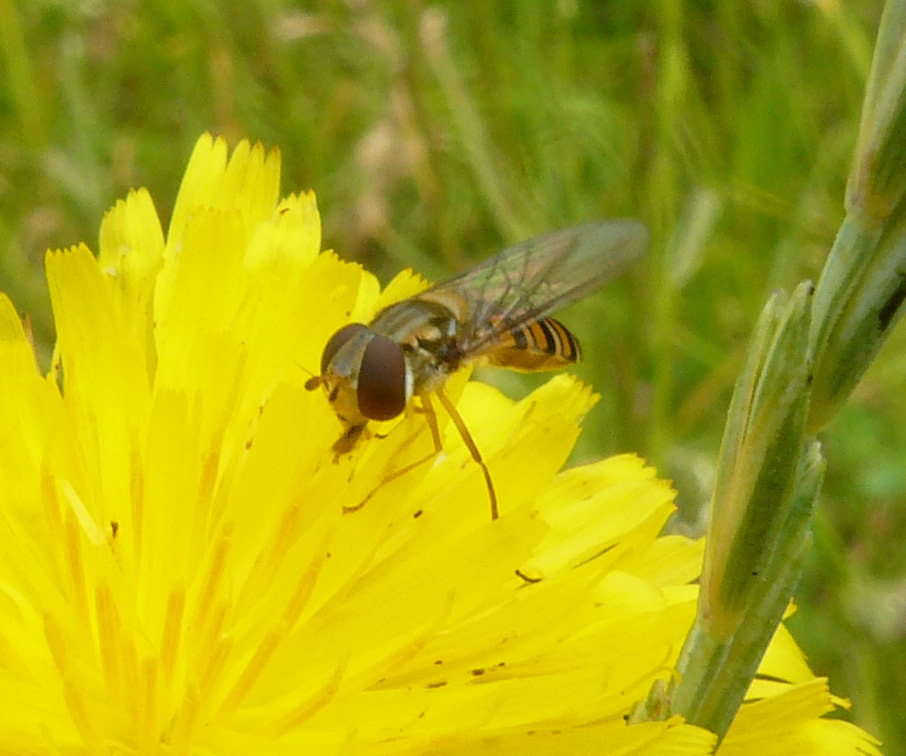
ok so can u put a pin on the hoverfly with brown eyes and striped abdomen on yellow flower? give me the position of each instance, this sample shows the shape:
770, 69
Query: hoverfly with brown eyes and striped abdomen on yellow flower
495, 313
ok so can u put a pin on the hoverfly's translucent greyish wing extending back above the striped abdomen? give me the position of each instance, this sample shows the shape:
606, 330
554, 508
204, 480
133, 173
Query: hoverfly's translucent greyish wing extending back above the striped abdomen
538, 276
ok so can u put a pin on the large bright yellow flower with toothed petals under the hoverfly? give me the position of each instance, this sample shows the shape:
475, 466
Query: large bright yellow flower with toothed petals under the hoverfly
177, 573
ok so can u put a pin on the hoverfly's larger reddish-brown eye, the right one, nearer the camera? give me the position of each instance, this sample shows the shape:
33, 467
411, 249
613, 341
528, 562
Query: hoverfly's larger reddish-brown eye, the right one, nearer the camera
382, 379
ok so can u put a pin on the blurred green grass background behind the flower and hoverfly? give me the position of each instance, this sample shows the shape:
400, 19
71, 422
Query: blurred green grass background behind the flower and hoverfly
435, 134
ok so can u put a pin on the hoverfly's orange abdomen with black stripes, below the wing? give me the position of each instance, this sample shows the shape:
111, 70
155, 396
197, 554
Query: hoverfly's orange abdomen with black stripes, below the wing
541, 344
